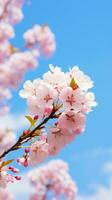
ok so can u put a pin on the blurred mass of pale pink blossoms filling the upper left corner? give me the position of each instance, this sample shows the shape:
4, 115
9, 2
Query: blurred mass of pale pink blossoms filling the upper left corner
15, 62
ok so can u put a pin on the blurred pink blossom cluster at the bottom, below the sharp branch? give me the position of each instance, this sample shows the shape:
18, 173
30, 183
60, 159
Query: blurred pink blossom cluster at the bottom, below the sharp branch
52, 180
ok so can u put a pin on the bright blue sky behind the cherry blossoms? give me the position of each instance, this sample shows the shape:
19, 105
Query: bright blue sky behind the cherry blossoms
83, 32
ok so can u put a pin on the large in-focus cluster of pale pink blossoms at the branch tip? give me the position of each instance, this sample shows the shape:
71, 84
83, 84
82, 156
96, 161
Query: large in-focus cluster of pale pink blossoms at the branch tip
64, 97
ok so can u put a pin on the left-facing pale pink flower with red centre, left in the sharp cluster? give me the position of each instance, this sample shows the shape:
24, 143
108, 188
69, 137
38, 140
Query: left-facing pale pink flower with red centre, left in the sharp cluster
41, 102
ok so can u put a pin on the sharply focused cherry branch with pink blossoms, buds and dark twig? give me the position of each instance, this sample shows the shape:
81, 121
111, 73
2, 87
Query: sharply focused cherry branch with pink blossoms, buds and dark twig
64, 97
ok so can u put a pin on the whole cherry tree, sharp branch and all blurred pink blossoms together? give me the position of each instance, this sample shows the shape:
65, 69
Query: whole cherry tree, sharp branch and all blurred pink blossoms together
57, 104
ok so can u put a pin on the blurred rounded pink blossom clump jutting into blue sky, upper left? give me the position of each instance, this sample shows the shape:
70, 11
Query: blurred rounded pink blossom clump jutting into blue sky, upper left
41, 36
